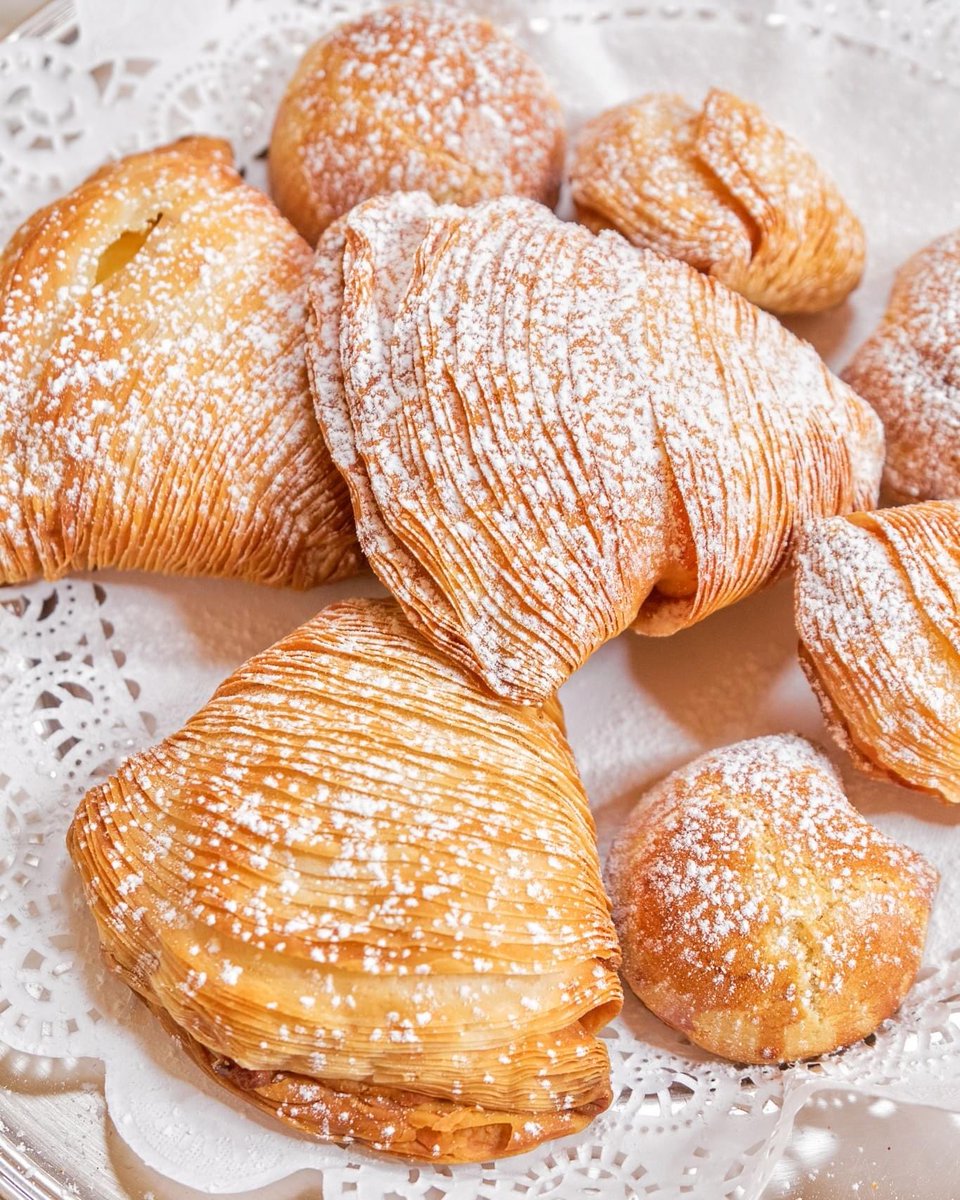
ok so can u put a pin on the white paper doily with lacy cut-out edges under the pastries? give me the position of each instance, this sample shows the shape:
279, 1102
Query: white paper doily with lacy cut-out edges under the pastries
91, 671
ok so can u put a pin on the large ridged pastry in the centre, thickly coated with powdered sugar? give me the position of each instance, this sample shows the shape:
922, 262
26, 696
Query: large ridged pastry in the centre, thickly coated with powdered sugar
550, 436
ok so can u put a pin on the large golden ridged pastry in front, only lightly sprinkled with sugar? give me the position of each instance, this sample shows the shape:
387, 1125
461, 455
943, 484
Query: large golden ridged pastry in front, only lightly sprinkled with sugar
367, 897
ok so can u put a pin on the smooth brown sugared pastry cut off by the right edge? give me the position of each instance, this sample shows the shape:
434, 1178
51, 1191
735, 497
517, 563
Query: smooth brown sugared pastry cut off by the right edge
910, 371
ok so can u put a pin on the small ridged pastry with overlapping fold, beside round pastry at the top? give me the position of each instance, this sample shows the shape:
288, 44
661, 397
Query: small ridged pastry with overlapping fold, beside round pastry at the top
727, 191
